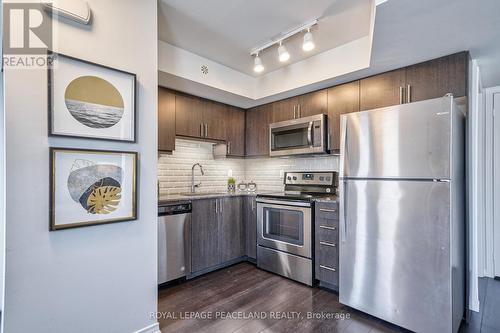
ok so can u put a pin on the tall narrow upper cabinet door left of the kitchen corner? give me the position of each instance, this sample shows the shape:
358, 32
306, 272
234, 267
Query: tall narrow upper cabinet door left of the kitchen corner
235, 132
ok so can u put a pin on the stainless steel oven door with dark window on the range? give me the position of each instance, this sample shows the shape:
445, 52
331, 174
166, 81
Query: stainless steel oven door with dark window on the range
285, 226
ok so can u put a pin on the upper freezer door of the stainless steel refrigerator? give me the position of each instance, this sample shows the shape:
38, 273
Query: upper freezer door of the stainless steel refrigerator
409, 141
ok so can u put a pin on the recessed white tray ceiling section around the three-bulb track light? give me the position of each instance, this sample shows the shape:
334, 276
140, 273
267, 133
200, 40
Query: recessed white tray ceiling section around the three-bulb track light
225, 31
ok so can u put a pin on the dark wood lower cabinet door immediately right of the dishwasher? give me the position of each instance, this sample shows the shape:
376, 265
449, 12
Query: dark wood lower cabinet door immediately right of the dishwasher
204, 235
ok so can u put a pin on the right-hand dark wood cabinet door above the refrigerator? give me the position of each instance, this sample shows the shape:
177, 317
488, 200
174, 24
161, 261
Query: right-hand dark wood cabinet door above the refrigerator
436, 78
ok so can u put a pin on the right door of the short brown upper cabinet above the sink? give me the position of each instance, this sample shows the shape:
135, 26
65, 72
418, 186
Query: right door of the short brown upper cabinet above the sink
214, 120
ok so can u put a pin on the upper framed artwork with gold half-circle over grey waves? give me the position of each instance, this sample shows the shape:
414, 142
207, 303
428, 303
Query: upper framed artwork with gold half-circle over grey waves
88, 100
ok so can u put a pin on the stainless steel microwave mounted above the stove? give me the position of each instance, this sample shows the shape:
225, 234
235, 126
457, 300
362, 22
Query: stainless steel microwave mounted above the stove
301, 136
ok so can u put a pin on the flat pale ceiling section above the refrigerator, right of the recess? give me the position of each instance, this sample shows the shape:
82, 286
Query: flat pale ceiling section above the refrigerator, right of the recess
408, 31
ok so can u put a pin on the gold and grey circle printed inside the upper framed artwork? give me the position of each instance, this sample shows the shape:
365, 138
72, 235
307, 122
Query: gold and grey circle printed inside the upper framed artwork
94, 102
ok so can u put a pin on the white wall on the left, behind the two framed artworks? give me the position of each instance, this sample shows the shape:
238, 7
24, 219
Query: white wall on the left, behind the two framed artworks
92, 279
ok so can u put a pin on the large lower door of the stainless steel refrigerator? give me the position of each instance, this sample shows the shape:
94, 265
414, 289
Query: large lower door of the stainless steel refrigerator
395, 252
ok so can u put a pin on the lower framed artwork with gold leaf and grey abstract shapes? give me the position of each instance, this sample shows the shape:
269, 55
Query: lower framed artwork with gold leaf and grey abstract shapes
90, 187
